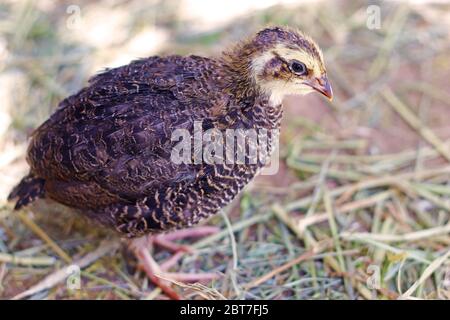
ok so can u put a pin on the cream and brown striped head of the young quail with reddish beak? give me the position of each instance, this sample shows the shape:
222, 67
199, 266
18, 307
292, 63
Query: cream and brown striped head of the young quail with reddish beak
283, 61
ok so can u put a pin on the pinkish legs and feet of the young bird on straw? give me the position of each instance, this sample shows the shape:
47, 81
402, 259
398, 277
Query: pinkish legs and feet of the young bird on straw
158, 273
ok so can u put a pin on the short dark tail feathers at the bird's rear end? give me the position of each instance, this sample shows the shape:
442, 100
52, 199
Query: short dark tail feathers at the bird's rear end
29, 189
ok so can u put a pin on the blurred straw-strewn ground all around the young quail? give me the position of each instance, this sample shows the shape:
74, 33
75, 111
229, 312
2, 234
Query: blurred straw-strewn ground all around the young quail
360, 207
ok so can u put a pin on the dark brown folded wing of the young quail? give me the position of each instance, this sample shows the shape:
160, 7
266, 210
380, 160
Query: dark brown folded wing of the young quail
117, 131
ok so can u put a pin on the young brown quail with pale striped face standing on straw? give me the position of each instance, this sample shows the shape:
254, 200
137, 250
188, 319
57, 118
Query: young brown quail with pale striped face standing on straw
107, 150
